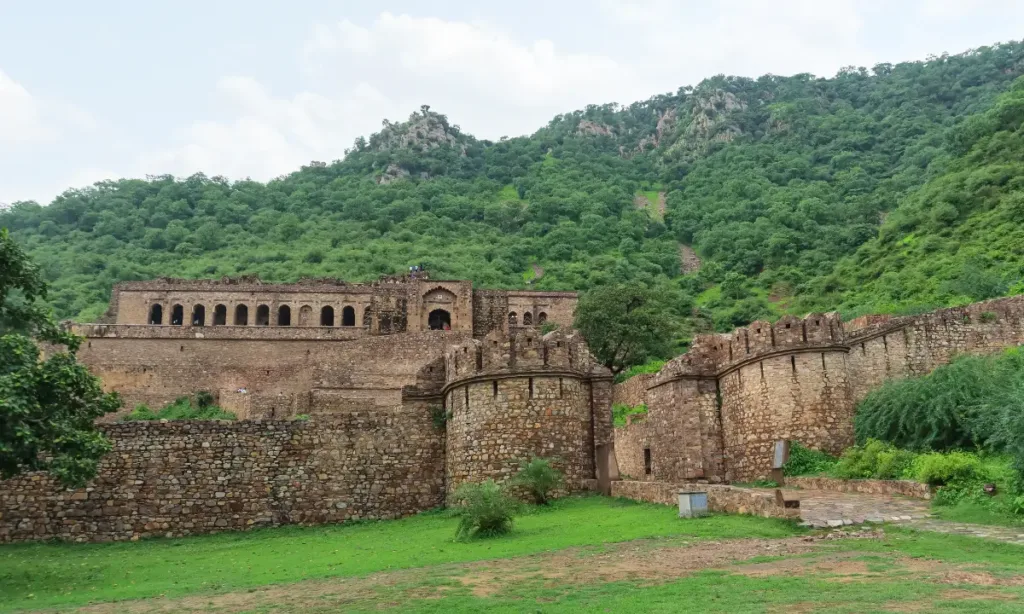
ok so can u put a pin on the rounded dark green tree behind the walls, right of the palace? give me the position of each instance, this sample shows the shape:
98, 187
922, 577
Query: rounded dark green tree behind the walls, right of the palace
626, 325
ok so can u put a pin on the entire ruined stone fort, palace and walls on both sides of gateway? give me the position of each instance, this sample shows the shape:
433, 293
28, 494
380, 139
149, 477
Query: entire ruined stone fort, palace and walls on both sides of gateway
377, 401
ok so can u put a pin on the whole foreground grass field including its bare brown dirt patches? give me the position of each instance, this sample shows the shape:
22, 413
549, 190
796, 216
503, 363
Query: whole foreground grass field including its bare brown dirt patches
584, 554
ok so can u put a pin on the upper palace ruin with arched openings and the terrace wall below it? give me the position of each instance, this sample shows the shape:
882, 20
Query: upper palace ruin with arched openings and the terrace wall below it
272, 352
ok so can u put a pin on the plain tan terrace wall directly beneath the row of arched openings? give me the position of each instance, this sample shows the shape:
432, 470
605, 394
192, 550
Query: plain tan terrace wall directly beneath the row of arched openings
261, 378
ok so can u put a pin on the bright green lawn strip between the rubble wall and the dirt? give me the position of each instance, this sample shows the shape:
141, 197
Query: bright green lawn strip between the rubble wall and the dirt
56, 575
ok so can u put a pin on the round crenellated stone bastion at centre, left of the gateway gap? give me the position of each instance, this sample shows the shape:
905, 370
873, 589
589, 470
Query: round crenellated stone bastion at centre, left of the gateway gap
514, 398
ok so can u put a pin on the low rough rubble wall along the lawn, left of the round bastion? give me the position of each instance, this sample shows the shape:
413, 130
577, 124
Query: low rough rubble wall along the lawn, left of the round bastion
198, 477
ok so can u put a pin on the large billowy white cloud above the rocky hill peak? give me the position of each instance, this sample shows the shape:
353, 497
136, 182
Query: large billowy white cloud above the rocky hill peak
487, 81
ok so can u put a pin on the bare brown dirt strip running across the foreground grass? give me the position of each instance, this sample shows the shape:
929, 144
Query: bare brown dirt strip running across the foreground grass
645, 562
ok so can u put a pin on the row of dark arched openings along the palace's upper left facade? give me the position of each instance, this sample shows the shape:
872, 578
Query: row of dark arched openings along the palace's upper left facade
263, 317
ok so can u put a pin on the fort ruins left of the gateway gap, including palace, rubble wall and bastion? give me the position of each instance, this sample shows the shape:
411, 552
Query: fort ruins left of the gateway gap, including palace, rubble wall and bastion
374, 367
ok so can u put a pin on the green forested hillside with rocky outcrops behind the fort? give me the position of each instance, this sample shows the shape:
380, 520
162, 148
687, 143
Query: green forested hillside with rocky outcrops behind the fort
890, 189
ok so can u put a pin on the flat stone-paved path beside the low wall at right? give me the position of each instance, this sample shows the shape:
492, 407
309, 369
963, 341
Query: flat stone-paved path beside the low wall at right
827, 509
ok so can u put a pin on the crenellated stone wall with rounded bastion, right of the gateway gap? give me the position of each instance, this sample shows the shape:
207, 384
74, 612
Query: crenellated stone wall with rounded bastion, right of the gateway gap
715, 413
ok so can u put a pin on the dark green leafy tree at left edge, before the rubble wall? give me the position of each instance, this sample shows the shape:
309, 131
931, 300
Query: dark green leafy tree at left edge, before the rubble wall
49, 407
